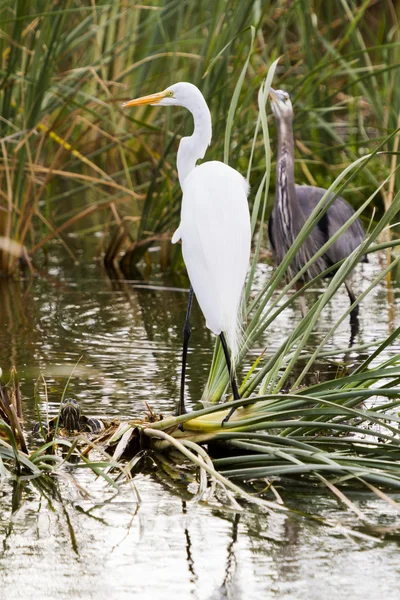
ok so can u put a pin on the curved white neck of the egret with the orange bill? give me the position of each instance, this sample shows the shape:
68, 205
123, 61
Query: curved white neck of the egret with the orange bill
192, 148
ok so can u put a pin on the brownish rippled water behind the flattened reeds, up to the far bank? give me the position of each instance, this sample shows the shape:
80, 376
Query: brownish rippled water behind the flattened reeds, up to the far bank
128, 336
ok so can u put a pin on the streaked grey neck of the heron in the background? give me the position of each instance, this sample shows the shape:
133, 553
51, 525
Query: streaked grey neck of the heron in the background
286, 197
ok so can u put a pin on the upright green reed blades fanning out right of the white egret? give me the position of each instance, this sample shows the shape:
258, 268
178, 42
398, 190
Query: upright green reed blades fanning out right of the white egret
261, 311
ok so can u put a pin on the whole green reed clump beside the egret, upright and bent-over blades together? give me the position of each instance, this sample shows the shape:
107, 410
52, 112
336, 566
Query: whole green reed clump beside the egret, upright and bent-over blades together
327, 433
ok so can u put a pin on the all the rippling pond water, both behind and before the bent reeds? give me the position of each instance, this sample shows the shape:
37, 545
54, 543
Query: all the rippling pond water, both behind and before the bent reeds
60, 542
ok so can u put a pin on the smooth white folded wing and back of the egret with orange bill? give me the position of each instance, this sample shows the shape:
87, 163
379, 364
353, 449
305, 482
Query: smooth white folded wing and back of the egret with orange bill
215, 232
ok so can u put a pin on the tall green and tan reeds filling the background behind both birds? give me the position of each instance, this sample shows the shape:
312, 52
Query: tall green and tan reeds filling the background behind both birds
68, 152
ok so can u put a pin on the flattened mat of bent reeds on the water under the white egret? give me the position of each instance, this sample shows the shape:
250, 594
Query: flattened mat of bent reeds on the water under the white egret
328, 435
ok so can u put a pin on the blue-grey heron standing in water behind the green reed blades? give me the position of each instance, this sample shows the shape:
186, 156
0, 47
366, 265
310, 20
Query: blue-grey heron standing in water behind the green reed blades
294, 204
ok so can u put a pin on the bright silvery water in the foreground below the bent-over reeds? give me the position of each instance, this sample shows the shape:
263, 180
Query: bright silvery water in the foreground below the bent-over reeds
103, 545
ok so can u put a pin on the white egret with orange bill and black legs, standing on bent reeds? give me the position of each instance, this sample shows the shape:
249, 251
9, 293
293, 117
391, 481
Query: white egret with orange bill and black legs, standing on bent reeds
214, 227
